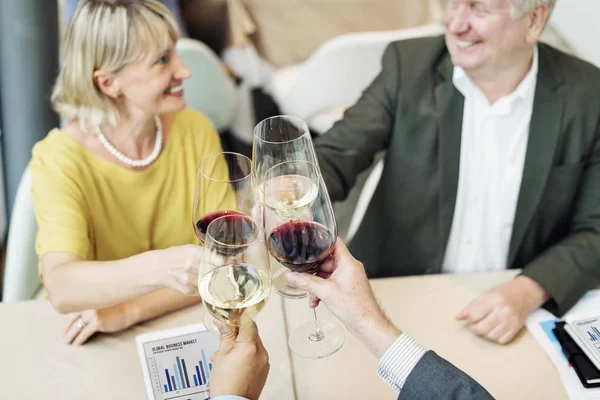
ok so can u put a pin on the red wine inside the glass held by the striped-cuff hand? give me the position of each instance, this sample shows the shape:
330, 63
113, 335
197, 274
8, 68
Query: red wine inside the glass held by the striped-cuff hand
301, 246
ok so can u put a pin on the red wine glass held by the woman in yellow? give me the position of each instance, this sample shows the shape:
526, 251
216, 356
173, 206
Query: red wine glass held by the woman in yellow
223, 189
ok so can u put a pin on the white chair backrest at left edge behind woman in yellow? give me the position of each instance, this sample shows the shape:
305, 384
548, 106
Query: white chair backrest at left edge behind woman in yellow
21, 279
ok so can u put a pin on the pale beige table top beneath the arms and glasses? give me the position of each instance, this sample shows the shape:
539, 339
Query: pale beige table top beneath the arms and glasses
35, 364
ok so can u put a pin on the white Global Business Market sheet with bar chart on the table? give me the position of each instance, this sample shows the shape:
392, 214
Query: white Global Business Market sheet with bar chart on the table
176, 362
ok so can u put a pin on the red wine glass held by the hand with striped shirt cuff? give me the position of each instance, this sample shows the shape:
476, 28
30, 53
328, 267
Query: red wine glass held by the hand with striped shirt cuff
301, 232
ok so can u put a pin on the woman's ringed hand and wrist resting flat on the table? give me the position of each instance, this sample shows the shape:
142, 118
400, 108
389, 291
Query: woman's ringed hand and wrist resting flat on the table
82, 325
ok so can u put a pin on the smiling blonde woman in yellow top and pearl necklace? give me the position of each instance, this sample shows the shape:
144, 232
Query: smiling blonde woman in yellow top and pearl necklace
113, 190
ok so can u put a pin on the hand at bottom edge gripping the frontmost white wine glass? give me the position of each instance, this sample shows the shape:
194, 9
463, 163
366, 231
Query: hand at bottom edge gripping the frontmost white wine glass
241, 365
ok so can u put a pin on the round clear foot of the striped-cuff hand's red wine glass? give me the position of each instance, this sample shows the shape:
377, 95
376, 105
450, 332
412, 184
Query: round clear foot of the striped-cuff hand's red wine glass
306, 344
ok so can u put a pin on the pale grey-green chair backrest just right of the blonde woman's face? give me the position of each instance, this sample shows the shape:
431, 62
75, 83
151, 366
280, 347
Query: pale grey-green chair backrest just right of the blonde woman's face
209, 90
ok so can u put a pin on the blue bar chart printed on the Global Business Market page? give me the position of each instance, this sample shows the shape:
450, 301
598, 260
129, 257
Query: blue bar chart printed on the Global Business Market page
184, 375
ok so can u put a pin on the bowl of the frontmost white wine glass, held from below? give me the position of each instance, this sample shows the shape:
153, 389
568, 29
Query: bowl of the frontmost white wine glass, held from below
235, 281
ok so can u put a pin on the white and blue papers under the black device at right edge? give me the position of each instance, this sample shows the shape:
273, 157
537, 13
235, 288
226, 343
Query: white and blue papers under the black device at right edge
540, 324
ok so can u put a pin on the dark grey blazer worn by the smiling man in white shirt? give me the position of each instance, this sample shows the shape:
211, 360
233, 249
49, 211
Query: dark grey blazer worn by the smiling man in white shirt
413, 111
